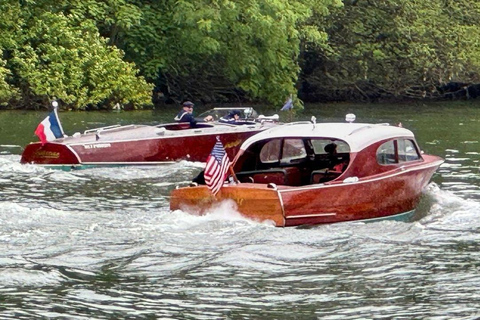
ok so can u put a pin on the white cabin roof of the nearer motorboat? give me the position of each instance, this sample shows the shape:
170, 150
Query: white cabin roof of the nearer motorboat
356, 135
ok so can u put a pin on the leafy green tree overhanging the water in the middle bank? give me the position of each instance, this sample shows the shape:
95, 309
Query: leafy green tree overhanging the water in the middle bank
203, 47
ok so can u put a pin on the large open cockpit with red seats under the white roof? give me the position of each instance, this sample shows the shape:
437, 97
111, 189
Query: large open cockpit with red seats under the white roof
293, 161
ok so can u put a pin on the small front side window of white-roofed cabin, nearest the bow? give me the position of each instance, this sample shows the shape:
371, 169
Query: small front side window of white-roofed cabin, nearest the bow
397, 151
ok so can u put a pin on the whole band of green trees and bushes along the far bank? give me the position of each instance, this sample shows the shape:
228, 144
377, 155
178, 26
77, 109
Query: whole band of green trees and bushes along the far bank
119, 54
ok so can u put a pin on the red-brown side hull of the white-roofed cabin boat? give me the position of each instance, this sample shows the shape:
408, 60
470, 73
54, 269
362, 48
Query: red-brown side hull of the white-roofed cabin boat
376, 197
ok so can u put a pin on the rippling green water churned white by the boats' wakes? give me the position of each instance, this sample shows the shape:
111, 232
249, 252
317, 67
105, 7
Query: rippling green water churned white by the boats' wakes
103, 244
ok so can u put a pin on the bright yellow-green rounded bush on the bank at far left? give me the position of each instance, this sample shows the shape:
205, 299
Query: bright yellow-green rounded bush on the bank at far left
52, 55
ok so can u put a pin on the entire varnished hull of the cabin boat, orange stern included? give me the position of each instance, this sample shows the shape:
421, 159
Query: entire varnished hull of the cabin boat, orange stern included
384, 196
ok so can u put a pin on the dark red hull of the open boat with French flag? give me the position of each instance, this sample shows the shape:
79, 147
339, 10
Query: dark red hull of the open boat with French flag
134, 151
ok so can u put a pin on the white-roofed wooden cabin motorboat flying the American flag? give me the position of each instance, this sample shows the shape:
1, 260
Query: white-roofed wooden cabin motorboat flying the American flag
293, 176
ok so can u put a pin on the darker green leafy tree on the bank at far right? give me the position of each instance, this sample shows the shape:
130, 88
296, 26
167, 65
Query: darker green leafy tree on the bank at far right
399, 48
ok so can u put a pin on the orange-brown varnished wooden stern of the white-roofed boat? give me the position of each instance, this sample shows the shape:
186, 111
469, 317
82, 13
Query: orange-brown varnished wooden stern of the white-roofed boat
255, 202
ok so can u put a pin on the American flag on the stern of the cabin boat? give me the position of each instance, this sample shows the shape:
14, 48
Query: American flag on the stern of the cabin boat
216, 168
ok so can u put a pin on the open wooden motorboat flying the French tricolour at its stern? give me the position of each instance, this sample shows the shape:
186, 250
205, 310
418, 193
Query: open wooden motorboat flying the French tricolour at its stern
145, 144
